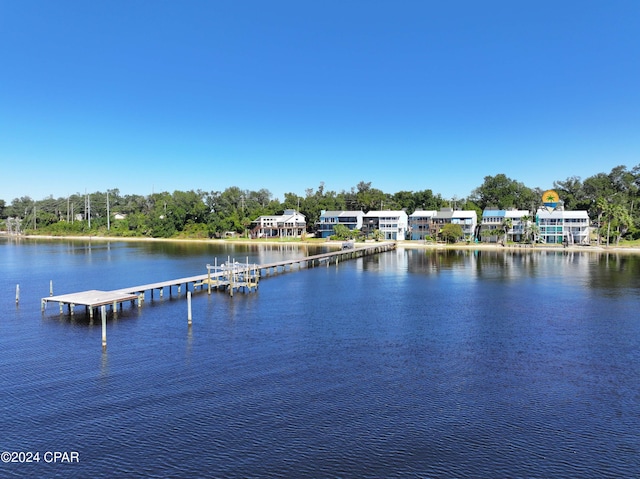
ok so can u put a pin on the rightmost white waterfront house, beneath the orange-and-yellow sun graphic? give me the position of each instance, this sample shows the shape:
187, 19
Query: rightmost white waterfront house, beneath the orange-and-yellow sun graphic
558, 226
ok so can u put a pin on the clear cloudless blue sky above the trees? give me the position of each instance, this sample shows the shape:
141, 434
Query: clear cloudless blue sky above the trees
408, 95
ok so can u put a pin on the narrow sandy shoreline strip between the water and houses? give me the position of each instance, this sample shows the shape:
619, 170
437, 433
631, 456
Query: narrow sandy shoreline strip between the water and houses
406, 244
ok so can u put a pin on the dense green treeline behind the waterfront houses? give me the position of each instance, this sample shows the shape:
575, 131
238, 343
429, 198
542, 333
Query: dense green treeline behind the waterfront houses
610, 198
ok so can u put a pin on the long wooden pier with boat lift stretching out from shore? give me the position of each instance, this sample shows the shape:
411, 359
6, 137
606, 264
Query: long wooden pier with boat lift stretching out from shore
228, 276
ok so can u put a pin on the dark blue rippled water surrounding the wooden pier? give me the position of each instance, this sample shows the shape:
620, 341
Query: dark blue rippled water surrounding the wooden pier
407, 364
